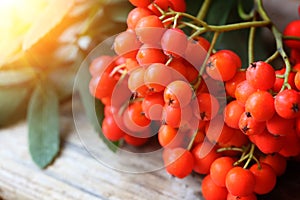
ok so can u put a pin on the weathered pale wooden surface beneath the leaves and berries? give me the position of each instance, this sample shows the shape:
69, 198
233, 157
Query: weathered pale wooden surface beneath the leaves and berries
75, 174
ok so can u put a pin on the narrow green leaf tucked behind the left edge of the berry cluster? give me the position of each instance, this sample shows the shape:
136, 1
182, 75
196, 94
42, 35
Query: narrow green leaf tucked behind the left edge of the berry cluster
93, 107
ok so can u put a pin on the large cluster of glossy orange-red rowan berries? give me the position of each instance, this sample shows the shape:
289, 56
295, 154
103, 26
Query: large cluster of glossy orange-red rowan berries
237, 126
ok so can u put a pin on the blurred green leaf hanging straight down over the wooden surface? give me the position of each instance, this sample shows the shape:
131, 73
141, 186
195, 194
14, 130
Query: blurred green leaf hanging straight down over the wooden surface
43, 125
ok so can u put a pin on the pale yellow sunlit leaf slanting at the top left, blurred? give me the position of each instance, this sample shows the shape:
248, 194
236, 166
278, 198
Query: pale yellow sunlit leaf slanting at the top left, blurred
52, 16
